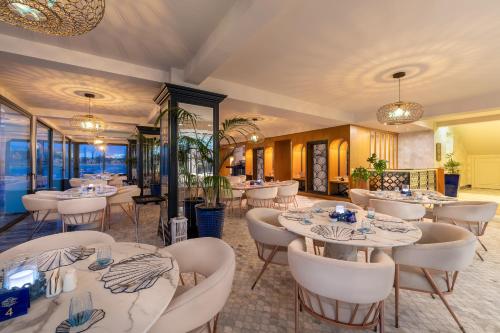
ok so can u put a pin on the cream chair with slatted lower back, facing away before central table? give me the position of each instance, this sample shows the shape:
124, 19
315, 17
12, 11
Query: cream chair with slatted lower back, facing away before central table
344, 293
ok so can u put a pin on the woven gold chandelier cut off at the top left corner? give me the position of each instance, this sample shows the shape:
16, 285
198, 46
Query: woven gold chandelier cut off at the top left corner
53, 17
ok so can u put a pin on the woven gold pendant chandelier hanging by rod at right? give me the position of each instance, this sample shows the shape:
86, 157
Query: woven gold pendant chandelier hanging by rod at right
399, 112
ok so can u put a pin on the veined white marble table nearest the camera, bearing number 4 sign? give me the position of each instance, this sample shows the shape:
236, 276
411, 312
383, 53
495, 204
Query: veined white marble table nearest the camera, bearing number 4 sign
124, 311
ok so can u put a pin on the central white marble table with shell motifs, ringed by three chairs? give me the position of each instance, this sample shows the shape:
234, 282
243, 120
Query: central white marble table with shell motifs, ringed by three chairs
347, 249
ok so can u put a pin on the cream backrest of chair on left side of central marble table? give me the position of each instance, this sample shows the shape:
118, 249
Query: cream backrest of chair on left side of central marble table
264, 227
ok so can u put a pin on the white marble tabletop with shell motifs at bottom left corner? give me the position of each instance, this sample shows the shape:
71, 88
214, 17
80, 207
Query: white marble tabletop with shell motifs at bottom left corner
133, 312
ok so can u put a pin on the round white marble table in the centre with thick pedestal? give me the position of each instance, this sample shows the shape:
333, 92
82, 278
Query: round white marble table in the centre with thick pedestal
380, 236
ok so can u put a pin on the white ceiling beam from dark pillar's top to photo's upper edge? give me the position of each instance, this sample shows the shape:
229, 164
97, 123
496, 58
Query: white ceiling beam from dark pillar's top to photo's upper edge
242, 21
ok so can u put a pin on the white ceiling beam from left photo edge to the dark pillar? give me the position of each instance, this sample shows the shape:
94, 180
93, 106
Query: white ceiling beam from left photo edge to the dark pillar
19, 46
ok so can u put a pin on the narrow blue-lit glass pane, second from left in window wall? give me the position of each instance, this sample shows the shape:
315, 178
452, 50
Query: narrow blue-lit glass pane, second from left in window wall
42, 156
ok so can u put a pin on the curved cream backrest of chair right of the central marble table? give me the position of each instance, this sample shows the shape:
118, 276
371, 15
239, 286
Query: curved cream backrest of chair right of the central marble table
443, 247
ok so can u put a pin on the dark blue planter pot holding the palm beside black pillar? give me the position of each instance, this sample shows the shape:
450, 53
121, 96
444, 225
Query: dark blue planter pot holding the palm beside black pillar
210, 221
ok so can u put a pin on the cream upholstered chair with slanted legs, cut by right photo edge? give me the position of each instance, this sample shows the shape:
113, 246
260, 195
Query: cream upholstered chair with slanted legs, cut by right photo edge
472, 215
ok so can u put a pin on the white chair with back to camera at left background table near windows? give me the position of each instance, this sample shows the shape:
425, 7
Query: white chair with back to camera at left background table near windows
82, 211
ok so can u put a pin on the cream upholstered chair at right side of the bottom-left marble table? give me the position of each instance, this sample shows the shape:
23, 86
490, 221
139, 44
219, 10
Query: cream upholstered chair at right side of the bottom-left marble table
196, 309
